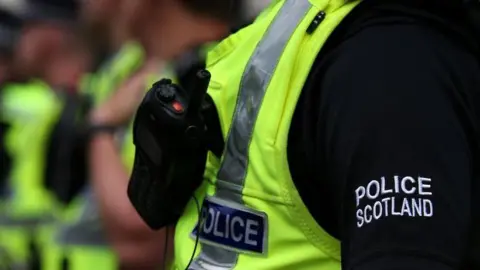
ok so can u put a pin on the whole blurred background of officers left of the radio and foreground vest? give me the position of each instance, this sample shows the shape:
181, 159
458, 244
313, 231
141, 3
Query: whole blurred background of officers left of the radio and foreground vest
66, 64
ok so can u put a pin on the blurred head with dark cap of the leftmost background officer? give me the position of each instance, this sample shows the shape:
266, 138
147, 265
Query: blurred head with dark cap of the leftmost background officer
49, 47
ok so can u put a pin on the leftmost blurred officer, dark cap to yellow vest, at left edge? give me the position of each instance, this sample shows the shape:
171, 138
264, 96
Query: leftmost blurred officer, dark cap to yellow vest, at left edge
48, 59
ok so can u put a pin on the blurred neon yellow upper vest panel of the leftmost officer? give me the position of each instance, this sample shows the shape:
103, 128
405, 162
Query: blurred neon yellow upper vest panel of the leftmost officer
32, 110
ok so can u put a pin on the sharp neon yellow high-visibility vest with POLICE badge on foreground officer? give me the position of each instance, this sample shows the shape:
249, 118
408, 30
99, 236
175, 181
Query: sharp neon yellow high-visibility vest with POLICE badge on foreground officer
252, 216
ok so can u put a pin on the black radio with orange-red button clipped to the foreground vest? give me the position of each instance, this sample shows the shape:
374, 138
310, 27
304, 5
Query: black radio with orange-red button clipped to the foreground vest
172, 140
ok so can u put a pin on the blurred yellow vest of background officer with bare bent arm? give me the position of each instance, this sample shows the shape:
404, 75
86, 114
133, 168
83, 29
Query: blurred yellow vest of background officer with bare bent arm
80, 240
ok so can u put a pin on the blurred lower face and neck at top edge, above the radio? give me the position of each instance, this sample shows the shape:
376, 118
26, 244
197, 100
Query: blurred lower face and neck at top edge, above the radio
167, 28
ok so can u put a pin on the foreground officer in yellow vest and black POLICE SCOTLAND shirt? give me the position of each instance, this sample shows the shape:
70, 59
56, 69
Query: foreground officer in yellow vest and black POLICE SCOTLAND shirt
351, 139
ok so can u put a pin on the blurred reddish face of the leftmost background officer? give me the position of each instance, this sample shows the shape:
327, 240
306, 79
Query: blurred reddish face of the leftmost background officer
51, 52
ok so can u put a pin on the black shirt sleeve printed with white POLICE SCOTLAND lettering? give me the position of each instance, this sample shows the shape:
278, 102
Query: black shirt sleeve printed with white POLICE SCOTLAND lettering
395, 132
